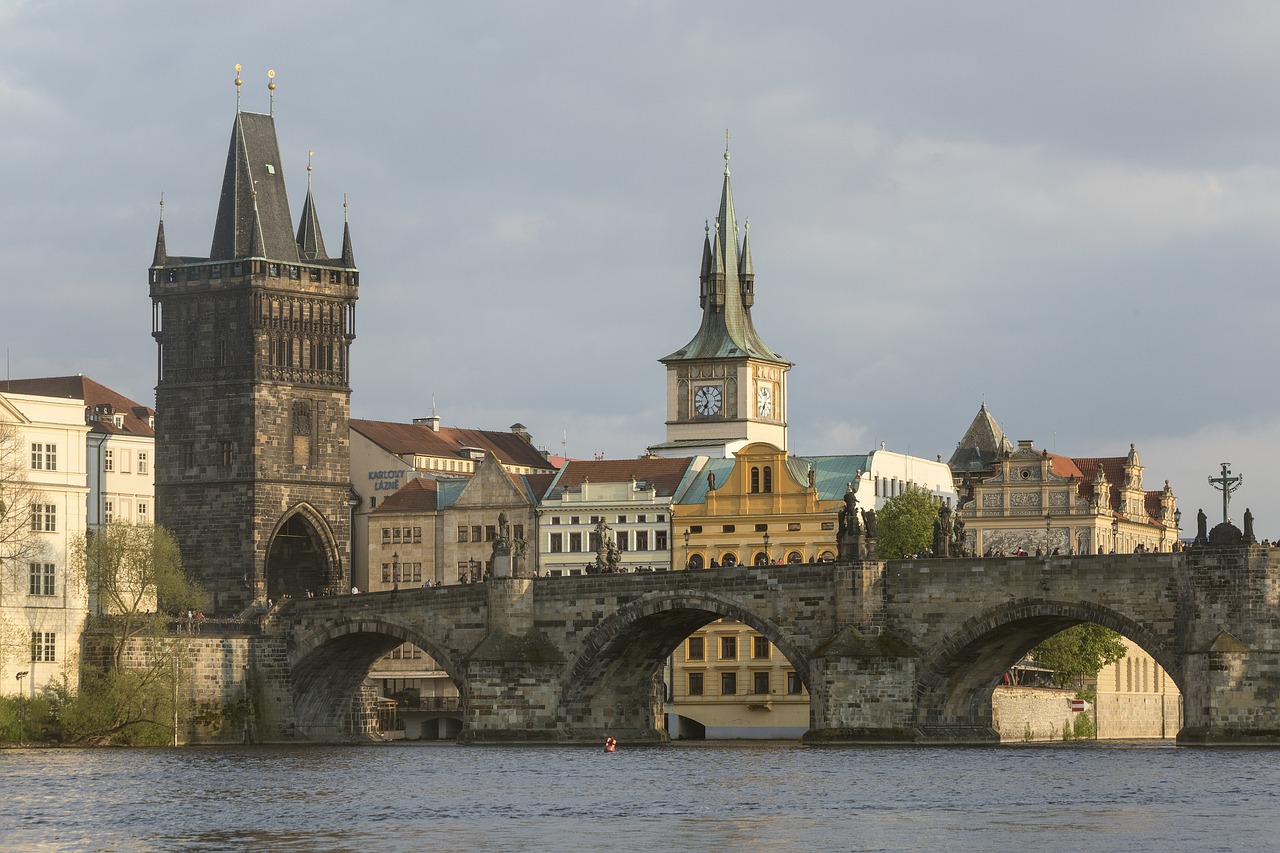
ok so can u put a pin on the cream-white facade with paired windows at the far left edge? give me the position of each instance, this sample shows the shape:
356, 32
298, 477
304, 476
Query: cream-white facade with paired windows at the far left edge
43, 603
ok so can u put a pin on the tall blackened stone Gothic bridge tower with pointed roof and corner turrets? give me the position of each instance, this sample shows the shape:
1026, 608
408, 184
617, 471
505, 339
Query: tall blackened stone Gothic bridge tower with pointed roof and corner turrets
253, 394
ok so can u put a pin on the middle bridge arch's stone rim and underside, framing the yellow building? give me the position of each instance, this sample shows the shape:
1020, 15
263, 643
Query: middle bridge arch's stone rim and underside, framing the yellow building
612, 681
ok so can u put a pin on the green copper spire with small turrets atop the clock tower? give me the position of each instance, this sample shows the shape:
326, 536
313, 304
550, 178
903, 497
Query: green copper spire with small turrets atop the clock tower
728, 331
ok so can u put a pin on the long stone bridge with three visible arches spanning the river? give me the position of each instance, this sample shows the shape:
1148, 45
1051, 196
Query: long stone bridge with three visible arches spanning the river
906, 651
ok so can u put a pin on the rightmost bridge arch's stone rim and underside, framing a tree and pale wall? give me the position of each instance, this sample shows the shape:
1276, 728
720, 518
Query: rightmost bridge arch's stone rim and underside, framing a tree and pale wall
958, 676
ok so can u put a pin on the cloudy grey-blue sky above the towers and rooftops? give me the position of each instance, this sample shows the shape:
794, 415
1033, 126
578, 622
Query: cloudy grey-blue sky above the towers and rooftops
1068, 212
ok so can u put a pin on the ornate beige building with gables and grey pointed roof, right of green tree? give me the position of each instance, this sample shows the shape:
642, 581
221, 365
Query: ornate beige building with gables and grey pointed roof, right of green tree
1022, 499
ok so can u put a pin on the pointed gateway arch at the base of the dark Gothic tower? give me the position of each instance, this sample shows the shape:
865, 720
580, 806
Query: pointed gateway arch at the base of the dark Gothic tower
303, 556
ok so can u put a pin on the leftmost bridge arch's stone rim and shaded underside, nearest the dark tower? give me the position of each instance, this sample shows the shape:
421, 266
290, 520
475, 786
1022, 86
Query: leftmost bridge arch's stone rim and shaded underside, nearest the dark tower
331, 663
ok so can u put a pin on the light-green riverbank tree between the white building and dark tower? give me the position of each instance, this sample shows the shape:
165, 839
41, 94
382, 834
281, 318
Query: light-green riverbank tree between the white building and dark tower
135, 577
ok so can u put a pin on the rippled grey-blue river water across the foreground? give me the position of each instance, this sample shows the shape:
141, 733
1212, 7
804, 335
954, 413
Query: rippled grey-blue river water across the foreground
696, 797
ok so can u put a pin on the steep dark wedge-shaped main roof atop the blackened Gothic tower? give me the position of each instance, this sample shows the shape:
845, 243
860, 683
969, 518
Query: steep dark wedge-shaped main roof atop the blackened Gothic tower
254, 212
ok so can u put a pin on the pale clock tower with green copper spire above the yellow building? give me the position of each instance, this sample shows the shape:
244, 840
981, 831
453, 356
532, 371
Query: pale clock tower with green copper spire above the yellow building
726, 389
